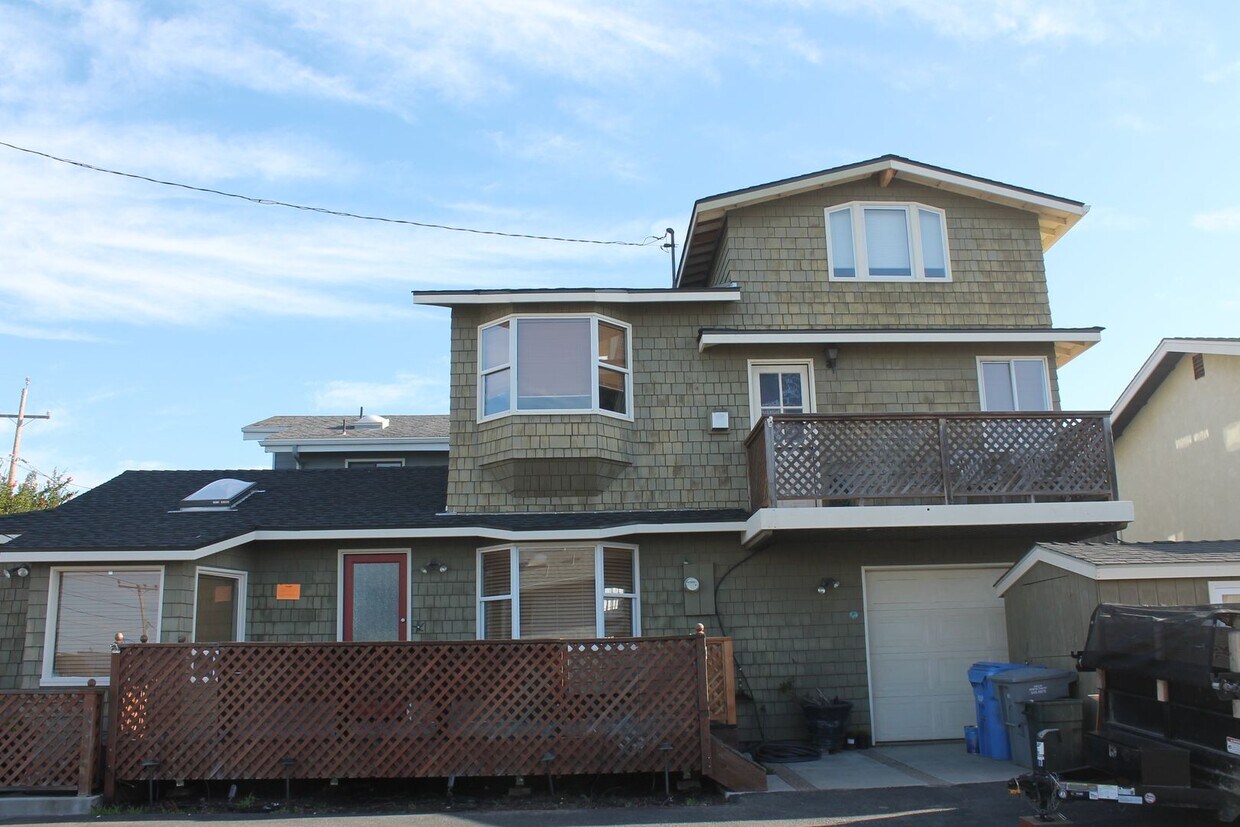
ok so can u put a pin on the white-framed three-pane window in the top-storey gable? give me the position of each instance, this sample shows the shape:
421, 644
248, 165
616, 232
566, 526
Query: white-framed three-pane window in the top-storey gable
881, 241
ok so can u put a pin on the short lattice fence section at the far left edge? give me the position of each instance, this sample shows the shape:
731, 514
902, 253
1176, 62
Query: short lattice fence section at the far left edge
42, 740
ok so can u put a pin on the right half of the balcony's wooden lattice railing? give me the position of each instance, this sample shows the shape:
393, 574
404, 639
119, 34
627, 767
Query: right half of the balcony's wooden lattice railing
1062, 457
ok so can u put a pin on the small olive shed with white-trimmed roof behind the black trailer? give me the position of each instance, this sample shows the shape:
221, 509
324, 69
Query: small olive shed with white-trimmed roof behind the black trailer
1052, 593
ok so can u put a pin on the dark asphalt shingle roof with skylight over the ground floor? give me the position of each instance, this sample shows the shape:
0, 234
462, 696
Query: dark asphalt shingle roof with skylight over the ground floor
138, 510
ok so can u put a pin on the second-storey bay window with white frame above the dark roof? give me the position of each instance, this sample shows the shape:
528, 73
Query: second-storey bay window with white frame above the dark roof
555, 364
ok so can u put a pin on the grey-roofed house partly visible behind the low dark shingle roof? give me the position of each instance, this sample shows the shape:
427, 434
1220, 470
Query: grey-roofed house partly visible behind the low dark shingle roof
365, 441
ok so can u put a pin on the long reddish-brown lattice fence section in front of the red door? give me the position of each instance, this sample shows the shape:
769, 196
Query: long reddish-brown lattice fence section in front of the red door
406, 710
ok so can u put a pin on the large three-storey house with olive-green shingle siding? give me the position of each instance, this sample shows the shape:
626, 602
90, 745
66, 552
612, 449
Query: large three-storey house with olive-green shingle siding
828, 440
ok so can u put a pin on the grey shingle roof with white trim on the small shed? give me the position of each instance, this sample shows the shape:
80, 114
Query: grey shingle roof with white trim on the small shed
1125, 561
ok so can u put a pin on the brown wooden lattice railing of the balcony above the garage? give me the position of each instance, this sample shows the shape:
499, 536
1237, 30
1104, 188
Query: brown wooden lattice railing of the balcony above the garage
931, 459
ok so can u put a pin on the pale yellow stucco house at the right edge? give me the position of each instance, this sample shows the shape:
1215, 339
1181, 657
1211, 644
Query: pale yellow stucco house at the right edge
1177, 442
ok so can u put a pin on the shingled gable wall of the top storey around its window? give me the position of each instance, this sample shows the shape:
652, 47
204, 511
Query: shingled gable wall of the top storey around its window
777, 252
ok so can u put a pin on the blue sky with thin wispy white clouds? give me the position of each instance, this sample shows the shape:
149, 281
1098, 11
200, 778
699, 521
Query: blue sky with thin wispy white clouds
154, 323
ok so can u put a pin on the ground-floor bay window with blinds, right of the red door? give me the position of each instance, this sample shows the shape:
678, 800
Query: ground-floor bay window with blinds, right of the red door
562, 592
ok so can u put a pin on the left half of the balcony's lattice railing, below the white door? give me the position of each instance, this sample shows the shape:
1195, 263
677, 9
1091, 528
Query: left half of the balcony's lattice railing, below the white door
857, 459
